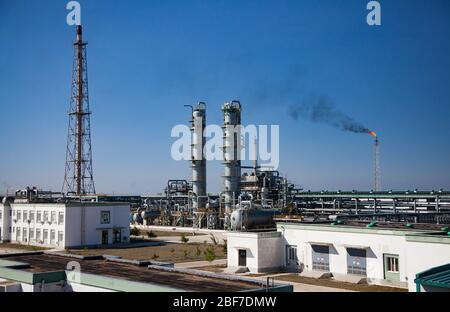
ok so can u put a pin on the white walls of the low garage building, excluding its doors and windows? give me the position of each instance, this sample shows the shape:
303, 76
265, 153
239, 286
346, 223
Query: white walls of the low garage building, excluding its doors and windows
416, 251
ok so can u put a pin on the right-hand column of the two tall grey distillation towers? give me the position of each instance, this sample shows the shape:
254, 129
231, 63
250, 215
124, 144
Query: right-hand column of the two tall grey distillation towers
231, 153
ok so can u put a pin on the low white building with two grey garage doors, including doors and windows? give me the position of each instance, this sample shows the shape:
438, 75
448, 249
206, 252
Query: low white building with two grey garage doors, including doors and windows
378, 255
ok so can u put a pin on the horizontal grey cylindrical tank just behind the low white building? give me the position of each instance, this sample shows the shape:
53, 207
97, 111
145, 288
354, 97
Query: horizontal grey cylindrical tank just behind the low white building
250, 219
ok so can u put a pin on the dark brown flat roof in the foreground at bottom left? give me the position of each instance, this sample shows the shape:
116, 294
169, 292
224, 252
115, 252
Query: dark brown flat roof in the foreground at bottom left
44, 263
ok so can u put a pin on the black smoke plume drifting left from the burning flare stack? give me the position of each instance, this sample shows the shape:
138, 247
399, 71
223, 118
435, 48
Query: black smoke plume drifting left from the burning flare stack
322, 110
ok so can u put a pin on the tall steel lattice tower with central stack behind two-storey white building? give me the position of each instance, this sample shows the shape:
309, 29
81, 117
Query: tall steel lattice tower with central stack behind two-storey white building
78, 178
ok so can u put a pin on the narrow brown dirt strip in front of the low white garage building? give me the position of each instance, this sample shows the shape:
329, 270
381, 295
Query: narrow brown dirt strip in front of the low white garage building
336, 284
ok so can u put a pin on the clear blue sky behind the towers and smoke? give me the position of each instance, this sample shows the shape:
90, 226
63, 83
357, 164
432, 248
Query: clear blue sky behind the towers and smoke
149, 58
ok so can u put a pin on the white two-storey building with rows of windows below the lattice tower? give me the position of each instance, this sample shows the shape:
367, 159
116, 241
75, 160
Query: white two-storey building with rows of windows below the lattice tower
63, 225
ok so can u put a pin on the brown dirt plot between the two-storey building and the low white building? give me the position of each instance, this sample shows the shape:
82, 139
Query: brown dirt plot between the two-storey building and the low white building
169, 252
